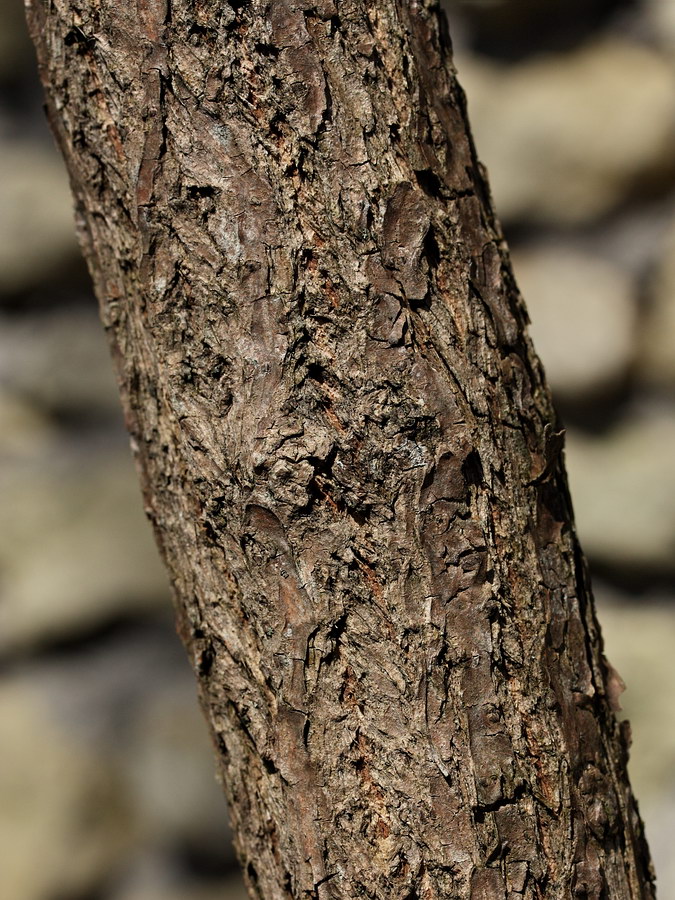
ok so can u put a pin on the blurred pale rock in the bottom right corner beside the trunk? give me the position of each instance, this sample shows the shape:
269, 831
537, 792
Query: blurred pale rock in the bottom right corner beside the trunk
639, 641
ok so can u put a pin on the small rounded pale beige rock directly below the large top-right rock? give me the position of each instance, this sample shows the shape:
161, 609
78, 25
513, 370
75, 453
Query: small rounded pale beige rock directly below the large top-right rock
583, 316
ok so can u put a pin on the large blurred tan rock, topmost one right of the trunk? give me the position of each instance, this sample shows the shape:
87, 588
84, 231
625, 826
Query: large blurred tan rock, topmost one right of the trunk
567, 137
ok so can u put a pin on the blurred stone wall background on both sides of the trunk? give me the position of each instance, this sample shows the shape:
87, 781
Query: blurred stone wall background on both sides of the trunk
107, 786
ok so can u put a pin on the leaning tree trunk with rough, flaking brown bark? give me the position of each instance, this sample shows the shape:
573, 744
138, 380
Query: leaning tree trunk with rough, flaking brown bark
347, 447
